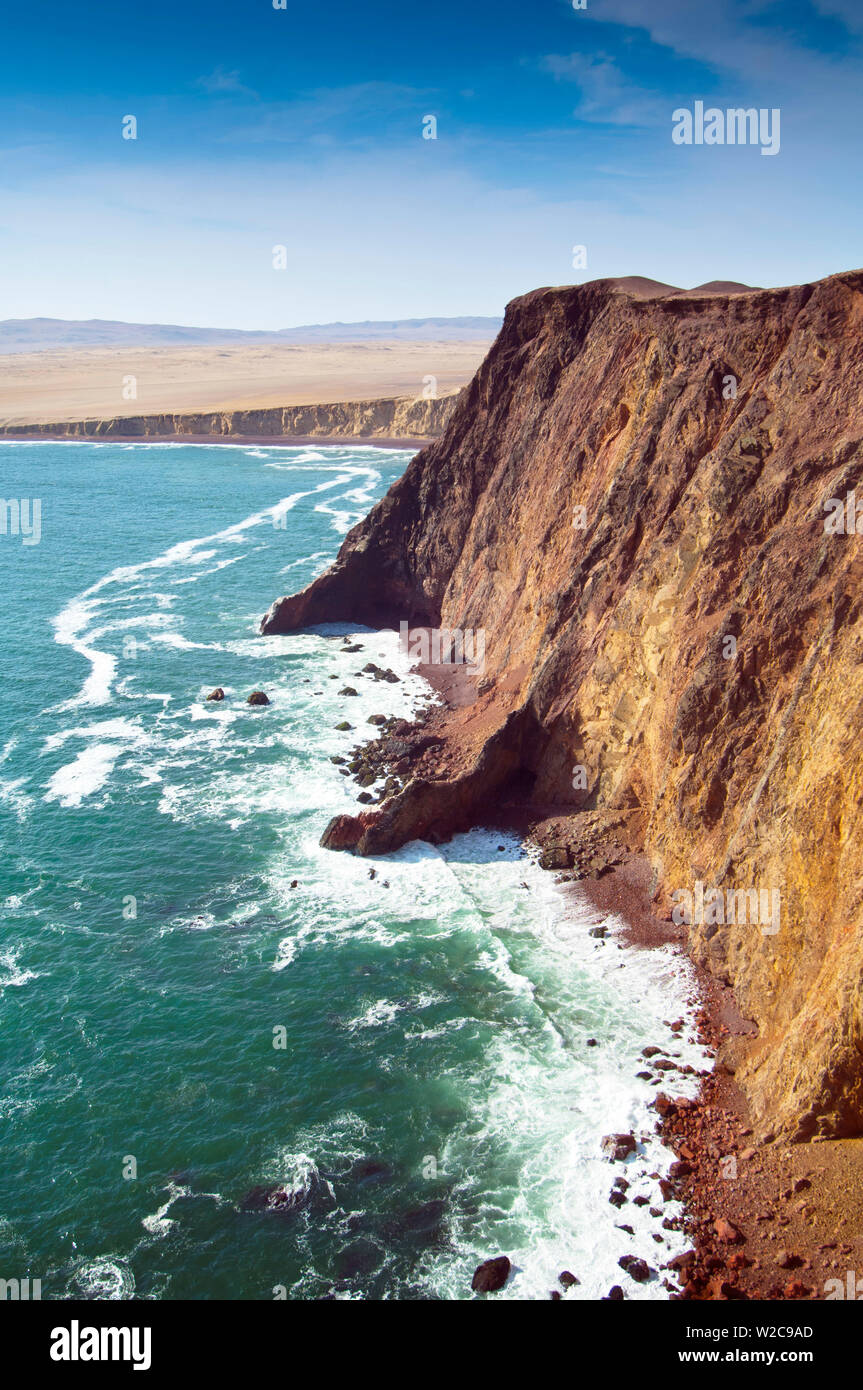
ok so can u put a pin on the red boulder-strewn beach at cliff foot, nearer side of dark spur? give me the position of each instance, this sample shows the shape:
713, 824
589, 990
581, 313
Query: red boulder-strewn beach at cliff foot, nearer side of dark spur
766, 1221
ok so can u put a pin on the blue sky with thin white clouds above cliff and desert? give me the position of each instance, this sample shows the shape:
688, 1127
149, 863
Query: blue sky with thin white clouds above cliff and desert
304, 129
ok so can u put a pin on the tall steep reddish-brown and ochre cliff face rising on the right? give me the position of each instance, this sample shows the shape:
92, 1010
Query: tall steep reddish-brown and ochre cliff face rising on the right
702, 437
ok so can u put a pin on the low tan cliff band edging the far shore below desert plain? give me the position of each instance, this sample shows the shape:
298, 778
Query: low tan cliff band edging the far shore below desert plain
401, 418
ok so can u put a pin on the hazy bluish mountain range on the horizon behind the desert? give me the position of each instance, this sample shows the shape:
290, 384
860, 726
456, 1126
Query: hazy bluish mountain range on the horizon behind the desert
41, 334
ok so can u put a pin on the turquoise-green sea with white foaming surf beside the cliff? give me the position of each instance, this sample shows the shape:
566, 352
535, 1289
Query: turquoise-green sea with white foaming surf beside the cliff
434, 1102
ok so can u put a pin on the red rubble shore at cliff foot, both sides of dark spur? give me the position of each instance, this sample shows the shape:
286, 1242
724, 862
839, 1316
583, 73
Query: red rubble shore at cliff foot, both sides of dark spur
762, 1220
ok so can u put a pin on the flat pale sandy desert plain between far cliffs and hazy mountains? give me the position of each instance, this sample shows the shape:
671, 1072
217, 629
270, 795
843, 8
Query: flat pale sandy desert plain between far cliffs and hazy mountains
83, 384
